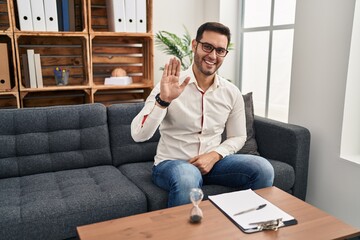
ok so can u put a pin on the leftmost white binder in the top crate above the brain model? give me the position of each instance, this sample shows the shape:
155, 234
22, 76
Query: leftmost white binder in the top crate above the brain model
116, 15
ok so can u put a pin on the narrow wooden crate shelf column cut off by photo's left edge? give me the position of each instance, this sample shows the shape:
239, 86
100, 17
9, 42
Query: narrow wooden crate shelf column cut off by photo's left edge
9, 98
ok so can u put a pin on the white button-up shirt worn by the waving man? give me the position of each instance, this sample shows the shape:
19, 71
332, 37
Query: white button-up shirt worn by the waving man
194, 122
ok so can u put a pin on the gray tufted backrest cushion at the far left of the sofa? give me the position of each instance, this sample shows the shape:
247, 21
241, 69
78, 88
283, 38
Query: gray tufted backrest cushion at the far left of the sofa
37, 140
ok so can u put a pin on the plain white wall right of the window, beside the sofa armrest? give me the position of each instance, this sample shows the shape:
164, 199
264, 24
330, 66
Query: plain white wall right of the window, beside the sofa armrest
319, 72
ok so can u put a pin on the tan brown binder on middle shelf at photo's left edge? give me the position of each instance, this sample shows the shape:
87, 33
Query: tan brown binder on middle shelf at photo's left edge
4, 68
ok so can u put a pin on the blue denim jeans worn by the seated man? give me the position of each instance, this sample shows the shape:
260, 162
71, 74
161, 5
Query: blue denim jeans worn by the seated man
238, 171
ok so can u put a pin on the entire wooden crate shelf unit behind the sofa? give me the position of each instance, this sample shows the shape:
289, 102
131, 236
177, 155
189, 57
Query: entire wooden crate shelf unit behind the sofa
90, 53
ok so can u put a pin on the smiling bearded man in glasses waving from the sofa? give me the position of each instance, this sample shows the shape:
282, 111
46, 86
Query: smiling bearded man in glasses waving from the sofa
193, 108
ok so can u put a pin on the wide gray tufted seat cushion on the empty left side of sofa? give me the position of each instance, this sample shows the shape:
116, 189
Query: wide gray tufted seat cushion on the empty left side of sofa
51, 205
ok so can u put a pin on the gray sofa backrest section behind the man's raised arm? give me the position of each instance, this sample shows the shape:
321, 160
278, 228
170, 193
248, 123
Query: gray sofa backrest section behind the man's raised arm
123, 148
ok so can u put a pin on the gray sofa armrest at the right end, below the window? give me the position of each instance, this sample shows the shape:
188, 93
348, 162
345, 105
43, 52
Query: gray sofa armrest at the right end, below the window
287, 143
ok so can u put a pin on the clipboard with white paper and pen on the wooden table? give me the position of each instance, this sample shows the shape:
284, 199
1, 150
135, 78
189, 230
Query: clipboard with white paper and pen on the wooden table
267, 218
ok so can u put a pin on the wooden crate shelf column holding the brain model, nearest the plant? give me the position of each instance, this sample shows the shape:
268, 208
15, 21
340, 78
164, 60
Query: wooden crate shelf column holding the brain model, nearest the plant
131, 51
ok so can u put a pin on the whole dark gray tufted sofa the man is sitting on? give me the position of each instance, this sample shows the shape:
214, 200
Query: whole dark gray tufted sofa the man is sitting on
66, 166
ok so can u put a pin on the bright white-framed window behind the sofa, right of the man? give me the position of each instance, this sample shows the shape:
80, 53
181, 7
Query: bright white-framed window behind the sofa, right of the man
266, 42
